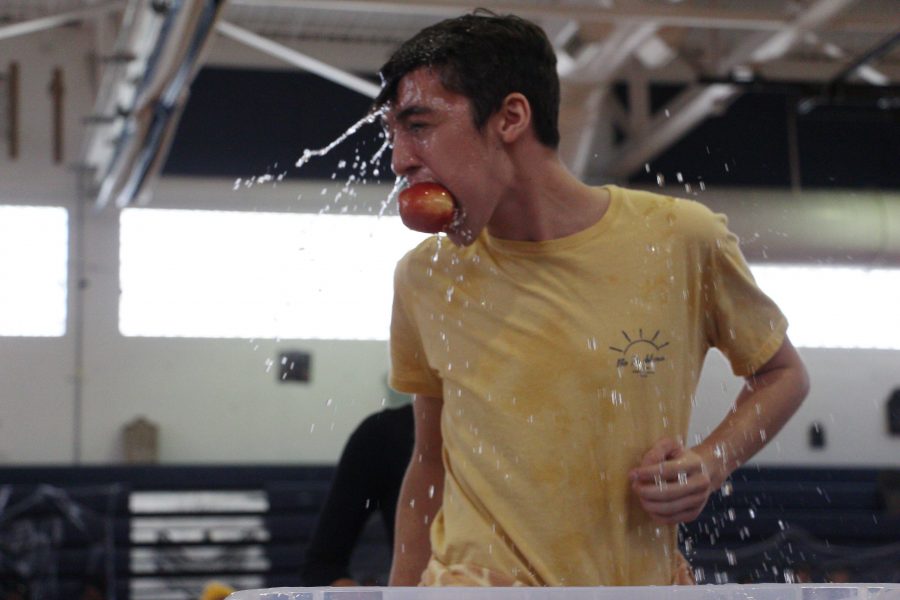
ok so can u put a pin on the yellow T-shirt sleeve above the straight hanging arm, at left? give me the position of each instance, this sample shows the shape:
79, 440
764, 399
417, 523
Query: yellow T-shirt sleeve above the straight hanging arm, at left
410, 372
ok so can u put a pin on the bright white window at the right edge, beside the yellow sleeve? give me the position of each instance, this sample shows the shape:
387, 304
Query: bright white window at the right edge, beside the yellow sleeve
836, 307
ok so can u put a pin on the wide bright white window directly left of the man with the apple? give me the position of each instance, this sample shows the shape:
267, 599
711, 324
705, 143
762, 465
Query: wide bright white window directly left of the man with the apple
212, 274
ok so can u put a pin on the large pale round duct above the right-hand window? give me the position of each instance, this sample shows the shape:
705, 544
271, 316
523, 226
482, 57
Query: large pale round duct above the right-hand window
812, 227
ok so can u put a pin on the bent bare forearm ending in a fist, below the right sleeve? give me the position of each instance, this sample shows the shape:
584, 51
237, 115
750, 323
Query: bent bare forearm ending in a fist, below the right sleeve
673, 483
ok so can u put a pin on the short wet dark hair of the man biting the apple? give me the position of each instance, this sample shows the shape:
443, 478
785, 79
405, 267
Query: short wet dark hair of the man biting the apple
484, 57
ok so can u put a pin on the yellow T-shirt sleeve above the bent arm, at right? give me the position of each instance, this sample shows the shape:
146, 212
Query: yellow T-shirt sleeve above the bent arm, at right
740, 319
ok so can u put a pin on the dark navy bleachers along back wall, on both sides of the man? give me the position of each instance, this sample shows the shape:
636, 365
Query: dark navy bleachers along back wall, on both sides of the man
162, 532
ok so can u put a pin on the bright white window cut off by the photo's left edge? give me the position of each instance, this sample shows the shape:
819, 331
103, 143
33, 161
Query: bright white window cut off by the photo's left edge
34, 252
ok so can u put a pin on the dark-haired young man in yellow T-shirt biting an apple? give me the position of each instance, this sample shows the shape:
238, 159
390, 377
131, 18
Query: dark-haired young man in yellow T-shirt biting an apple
554, 348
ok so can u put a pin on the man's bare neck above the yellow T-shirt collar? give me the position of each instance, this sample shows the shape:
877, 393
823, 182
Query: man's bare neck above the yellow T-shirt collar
546, 201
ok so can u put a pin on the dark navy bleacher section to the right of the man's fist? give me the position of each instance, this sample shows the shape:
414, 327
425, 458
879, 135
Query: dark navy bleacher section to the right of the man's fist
797, 524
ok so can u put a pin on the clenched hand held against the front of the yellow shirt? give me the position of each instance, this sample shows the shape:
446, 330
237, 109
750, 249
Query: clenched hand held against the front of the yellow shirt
672, 483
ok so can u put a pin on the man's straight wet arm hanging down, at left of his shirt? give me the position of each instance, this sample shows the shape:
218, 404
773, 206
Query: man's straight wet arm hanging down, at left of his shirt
420, 495
